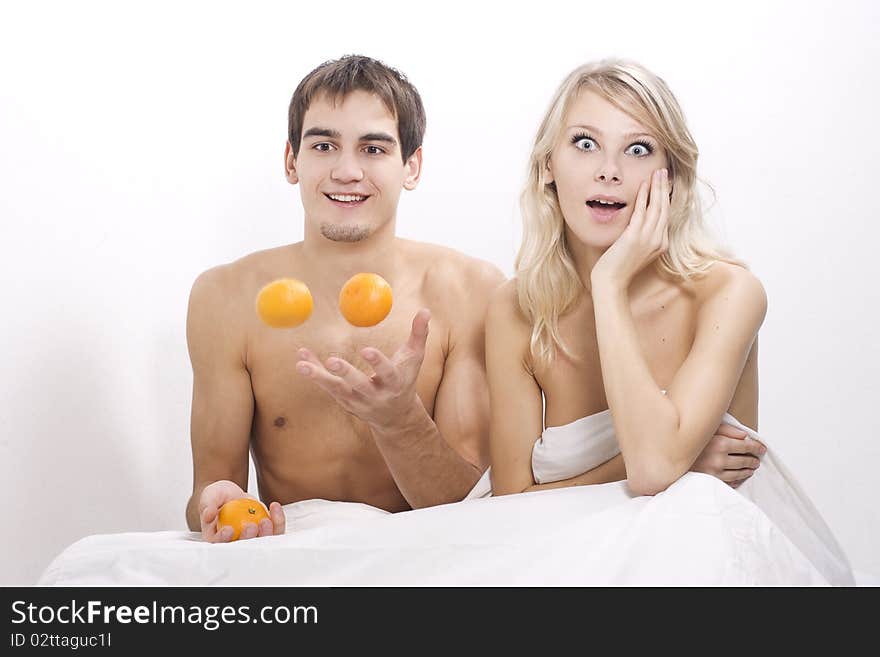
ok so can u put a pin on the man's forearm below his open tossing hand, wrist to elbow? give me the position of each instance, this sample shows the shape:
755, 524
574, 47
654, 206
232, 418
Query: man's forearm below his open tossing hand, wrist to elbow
426, 469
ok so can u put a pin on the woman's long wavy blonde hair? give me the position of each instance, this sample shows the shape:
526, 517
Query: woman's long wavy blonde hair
547, 282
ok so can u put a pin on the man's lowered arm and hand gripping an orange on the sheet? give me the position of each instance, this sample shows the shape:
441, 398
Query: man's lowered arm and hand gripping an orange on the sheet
222, 404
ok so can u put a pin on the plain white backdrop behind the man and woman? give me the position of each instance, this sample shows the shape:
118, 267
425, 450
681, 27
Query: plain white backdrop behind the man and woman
141, 144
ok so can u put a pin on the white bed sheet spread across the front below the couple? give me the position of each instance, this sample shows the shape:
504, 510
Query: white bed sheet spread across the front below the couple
699, 532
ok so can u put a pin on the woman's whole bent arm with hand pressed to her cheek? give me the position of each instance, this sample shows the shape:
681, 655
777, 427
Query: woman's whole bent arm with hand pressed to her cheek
661, 436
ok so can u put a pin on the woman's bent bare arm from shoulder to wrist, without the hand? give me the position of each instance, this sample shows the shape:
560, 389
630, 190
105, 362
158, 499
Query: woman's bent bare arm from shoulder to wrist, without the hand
661, 436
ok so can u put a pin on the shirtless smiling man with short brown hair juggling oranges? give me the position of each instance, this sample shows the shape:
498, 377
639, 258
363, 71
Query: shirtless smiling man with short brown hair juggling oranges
395, 415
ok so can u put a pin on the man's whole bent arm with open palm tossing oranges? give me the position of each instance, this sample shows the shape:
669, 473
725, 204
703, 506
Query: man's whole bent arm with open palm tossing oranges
433, 460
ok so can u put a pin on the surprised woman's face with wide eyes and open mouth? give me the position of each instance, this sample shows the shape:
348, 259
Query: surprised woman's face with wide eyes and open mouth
598, 164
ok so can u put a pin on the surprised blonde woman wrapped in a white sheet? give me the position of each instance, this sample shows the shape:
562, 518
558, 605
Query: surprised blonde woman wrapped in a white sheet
627, 336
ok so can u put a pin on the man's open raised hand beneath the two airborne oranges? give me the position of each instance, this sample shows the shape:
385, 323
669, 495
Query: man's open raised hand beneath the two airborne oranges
386, 396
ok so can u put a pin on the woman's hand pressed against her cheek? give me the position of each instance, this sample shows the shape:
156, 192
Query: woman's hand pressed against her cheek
644, 239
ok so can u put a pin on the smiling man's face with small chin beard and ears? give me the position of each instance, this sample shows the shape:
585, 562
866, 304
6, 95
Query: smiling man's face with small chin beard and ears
349, 166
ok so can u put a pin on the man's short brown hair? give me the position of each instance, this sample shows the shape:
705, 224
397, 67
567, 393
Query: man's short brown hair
339, 77
